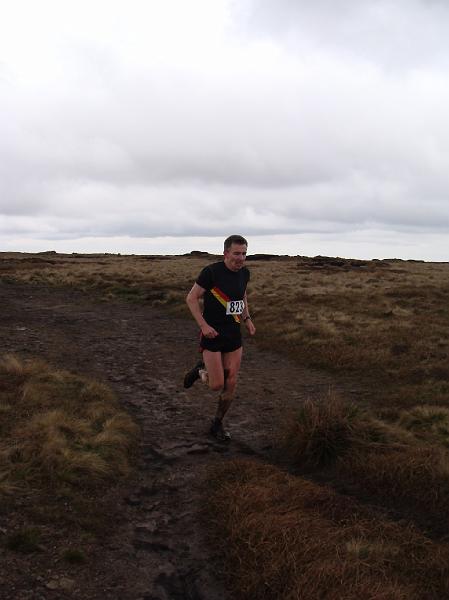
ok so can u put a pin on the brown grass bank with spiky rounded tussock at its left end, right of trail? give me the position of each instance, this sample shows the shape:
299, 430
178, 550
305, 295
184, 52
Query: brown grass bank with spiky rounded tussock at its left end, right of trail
382, 462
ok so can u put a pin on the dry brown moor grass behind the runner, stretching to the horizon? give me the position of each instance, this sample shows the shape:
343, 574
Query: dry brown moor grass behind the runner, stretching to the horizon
387, 320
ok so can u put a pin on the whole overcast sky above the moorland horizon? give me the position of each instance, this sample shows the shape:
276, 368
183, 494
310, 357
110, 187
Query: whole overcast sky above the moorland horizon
162, 126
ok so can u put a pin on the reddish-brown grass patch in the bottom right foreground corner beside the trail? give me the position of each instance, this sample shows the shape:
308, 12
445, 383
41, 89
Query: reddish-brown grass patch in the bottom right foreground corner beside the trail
292, 539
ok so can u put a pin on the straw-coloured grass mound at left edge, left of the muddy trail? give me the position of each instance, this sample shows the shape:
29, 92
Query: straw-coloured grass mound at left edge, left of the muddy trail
66, 447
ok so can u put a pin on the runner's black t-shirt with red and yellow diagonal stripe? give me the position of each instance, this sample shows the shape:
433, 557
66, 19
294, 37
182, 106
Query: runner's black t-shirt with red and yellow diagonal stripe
223, 299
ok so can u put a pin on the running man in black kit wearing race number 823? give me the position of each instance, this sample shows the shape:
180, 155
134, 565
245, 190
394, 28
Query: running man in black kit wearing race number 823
222, 287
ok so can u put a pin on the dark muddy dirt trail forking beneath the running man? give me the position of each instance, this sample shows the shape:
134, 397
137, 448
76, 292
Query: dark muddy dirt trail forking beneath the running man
157, 551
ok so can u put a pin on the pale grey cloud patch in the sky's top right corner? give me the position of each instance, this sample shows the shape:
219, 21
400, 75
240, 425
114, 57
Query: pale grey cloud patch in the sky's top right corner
396, 33
